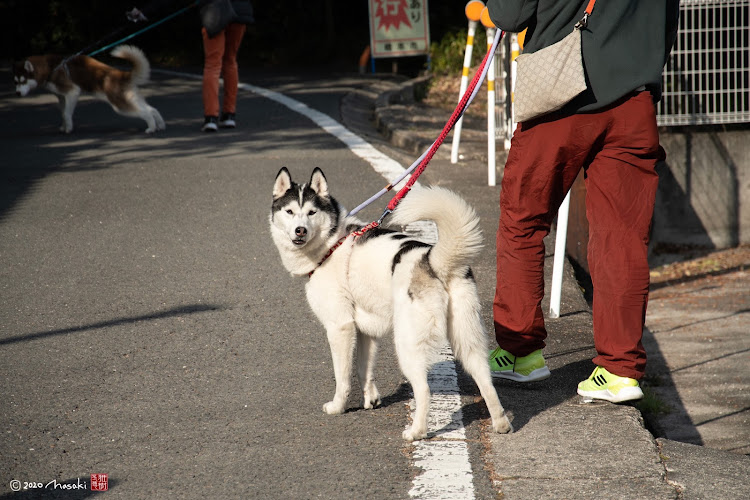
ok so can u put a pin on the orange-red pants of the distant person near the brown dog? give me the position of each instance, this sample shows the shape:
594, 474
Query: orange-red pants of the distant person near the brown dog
220, 59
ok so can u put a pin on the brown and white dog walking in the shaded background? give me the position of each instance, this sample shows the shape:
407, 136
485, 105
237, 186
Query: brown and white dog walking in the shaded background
69, 78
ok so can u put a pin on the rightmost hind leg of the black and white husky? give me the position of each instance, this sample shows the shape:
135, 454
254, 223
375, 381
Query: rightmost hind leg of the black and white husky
469, 343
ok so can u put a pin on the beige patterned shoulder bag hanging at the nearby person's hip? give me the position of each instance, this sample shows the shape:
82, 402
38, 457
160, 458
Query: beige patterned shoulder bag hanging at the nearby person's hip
548, 79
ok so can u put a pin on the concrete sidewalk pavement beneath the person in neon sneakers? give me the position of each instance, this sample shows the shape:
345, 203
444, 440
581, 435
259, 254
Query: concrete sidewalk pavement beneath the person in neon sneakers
563, 447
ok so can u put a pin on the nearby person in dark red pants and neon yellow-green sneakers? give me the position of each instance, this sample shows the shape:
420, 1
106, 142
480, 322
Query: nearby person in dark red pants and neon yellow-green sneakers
610, 131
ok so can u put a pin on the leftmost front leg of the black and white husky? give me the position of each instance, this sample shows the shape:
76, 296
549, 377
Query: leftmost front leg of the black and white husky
342, 340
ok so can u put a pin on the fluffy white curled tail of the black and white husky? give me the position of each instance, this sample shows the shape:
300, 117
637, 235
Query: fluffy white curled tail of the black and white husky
459, 235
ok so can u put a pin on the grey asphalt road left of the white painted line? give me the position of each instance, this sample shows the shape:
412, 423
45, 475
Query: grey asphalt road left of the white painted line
147, 328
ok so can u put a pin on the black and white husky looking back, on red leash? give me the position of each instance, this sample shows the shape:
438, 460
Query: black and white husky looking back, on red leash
387, 281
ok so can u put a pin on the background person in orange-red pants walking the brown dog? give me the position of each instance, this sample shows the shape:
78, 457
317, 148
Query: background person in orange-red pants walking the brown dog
223, 26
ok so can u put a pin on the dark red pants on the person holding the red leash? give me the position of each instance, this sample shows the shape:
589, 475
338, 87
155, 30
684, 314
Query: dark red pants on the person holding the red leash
618, 147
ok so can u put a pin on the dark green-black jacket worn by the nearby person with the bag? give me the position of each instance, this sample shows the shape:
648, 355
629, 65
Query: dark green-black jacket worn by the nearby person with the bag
625, 45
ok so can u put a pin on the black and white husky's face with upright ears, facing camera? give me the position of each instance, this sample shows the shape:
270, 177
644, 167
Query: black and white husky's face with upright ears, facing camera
303, 212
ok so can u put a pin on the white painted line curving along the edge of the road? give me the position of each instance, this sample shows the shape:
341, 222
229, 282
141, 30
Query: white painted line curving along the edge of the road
444, 458
